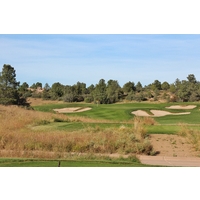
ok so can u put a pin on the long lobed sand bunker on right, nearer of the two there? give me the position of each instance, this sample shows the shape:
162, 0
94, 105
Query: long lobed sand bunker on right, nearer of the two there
156, 113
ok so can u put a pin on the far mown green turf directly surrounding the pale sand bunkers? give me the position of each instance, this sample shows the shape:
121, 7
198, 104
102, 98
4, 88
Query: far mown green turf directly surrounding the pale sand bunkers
122, 111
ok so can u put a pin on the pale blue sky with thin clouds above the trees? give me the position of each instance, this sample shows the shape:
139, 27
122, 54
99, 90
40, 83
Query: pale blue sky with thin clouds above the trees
65, 58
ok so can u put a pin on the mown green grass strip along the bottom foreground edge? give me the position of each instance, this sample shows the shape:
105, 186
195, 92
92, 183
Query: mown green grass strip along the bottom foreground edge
15, 162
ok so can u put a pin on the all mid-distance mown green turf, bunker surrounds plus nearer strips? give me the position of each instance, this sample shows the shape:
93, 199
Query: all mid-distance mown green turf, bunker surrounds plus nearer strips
120, 113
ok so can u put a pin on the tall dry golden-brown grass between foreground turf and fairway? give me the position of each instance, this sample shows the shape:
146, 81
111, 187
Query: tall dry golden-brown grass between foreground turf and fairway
17, 139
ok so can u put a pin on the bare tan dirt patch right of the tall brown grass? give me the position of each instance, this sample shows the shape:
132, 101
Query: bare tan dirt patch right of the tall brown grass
172, 145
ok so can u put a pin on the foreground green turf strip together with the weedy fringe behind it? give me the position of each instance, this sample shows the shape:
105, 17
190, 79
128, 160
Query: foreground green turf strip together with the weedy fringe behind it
73, 161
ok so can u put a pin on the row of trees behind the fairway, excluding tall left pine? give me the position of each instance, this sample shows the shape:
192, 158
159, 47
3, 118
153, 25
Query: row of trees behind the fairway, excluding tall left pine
111, 92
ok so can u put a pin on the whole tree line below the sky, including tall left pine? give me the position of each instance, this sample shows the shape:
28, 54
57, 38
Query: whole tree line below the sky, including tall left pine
12, 92
